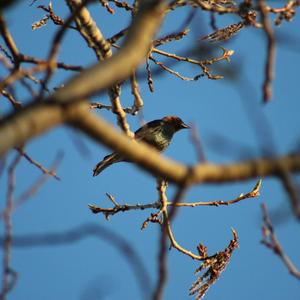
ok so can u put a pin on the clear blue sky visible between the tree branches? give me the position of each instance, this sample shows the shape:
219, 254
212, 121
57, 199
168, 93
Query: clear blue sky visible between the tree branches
94, 269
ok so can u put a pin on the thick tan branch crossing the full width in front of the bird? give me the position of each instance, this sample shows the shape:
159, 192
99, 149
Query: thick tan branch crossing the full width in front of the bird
40, 119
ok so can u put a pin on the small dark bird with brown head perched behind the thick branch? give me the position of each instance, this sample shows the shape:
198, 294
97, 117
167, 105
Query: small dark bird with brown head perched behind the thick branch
157, 133
